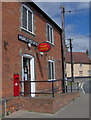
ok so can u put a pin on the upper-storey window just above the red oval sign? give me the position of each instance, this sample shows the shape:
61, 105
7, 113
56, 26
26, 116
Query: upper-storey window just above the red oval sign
50, 37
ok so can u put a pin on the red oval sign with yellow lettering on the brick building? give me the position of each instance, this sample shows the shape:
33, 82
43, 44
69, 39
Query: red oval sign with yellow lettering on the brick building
44, 47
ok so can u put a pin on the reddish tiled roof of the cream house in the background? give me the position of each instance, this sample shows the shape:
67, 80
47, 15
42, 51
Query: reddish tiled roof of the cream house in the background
78, 57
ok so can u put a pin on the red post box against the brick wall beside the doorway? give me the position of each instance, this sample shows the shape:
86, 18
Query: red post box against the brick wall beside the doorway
16, 85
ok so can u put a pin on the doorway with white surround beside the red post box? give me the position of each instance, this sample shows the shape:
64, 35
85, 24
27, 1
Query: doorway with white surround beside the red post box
28, 74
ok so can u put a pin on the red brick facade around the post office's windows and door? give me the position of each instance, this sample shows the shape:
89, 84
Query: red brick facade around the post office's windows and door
12, 59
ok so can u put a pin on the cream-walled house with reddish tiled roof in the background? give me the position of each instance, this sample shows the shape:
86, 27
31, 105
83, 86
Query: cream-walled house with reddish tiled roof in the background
81, 65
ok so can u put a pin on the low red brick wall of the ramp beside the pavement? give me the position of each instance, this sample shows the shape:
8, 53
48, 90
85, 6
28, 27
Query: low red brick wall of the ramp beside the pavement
39, 104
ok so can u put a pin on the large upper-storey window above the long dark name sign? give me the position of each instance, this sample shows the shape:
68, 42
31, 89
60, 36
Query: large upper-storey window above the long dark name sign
27, 19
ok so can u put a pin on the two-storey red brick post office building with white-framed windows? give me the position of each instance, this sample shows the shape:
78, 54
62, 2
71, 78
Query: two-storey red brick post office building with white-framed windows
25, 26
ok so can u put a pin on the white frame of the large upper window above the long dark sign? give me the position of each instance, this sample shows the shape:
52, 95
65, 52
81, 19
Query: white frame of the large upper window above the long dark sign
28, 9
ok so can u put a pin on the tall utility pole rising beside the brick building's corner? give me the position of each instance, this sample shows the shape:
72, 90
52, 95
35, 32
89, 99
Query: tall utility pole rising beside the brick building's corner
63, 46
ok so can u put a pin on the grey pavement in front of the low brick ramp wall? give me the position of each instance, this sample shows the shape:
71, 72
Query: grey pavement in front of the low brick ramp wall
79, 108
